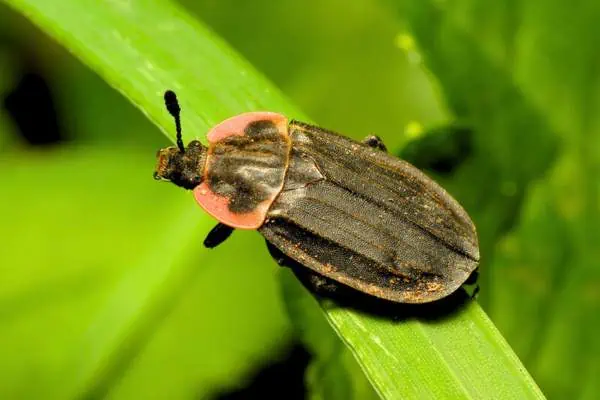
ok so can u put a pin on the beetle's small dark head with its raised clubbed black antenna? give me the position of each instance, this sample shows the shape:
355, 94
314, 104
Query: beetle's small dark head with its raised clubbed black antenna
184, 167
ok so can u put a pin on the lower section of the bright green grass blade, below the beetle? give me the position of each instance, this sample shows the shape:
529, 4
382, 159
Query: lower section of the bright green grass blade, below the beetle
461, 356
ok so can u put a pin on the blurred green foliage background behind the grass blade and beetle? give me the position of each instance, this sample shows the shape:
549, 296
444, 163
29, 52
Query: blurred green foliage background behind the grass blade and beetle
498, 101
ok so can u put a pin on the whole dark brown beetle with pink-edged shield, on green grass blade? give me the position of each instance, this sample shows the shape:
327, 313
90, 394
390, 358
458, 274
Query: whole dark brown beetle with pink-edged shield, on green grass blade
348, 213
